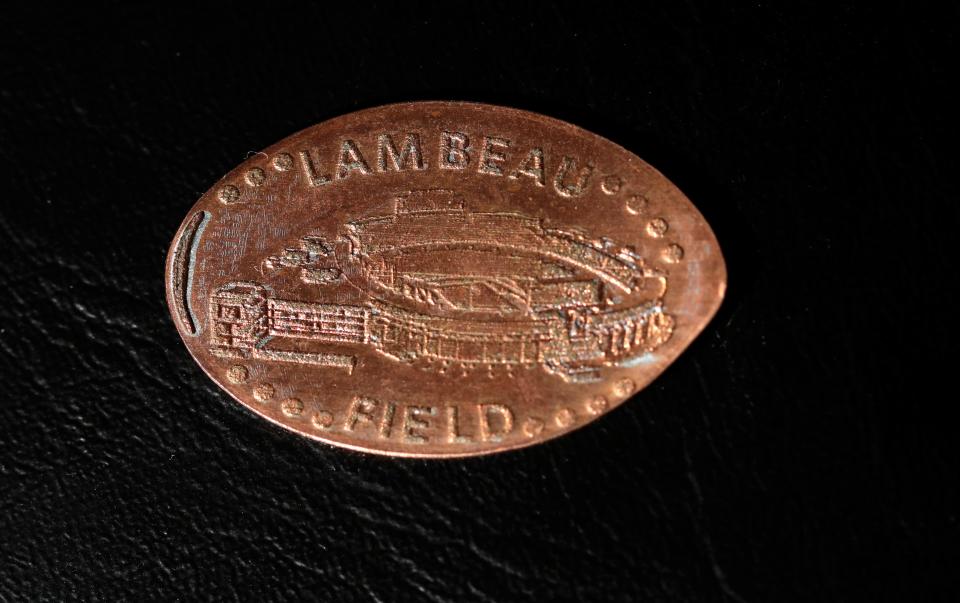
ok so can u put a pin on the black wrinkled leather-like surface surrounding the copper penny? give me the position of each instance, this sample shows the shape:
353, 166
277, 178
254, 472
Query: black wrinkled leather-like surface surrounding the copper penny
792, 454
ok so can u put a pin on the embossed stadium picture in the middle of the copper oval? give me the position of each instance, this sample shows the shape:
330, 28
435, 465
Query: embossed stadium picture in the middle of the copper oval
534, 296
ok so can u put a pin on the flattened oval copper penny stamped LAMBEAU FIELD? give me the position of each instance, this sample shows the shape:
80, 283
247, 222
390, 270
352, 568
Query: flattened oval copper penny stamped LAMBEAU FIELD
441, 279
